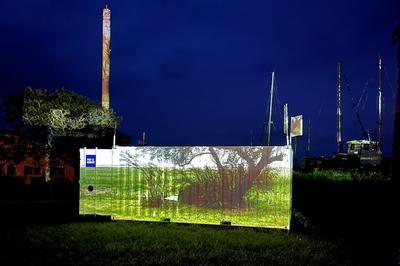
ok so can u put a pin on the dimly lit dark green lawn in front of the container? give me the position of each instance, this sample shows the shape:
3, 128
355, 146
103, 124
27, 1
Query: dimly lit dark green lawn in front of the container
125, 242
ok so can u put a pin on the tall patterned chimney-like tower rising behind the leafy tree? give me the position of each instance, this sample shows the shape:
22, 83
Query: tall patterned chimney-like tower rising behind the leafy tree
105, 97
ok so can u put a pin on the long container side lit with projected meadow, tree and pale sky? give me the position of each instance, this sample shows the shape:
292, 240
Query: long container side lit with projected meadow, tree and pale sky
247, 186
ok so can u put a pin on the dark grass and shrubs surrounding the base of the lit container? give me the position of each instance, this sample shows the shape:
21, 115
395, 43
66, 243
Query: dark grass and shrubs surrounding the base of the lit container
334, 222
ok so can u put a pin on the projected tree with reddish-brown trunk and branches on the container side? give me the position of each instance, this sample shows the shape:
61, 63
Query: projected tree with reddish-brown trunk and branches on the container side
221, 175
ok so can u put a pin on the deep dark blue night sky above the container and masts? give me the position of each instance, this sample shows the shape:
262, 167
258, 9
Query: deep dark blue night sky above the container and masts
198, 72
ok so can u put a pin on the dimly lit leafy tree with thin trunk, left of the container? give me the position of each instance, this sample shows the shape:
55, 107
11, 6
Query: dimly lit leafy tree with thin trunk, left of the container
65, 113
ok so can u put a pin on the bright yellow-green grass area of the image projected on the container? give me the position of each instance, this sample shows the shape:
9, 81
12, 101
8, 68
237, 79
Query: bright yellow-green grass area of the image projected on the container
125, 193
